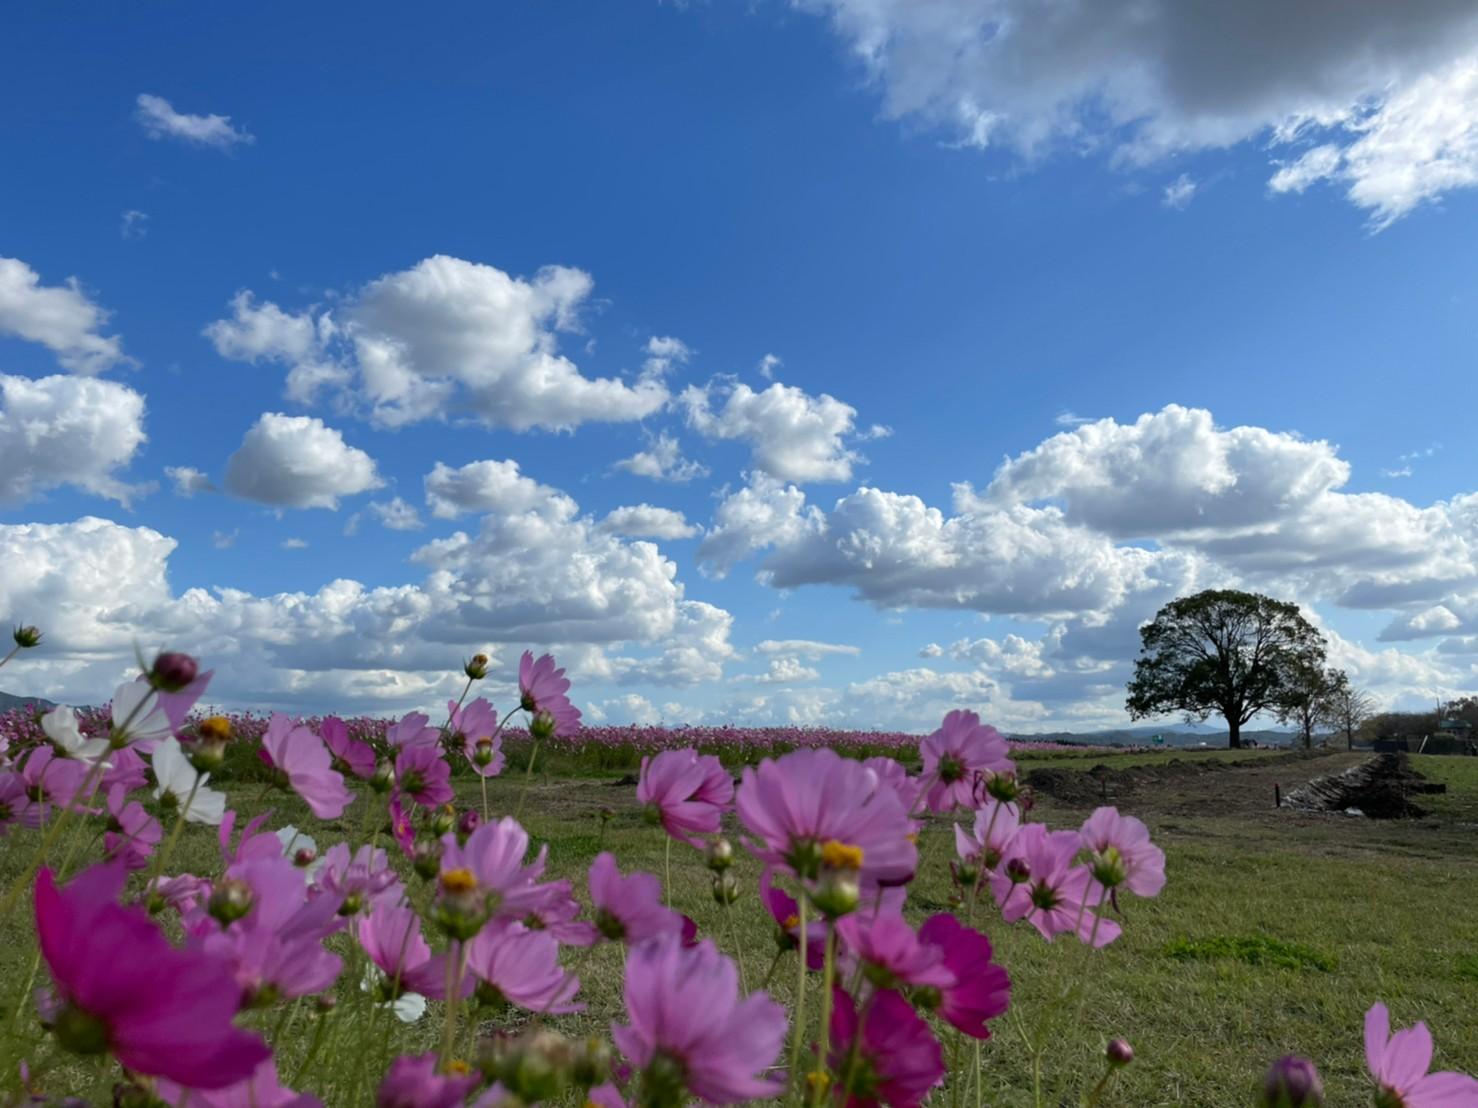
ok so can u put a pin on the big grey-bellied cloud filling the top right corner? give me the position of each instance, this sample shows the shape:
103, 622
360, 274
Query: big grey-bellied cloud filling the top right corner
1383, 94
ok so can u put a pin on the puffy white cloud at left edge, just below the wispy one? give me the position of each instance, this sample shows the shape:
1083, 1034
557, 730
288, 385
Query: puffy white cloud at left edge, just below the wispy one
67, 431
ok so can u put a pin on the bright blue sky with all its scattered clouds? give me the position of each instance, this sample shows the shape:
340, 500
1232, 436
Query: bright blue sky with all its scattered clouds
1216, 324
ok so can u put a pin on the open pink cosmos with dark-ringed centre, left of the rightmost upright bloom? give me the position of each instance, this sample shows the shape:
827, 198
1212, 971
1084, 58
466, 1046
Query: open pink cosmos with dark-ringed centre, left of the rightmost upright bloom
1056, 895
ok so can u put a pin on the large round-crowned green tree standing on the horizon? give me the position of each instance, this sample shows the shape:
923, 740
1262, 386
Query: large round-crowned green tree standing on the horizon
1227, 654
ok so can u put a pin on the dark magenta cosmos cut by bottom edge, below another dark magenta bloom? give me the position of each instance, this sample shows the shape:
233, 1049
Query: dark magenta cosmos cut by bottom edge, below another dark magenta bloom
898, 1060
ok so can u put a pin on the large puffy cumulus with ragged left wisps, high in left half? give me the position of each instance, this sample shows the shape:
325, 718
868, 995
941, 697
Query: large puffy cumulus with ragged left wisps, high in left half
444, 341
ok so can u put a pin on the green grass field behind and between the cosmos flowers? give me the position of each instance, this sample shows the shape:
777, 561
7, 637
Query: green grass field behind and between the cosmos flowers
1275, 933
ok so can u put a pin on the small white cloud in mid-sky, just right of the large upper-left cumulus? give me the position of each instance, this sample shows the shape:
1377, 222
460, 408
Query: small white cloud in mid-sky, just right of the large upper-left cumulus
793, 437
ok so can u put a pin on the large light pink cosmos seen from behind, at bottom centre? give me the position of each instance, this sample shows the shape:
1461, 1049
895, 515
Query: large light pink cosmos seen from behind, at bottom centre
689, 1030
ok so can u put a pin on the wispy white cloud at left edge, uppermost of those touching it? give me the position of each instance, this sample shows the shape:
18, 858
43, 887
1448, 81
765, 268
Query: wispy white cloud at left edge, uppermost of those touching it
58, 317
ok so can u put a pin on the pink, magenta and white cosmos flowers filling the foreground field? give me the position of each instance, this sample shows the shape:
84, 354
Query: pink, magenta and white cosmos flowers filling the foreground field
403, 942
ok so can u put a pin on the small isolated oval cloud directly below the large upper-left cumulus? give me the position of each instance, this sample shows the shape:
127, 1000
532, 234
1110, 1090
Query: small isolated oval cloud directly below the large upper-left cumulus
295, 462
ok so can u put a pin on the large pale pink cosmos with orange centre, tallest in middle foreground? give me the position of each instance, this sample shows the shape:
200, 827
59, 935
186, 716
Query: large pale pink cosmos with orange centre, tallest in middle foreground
815, 803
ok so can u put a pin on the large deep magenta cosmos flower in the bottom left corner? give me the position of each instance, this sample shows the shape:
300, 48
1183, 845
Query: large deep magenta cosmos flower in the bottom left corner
159, 1011
